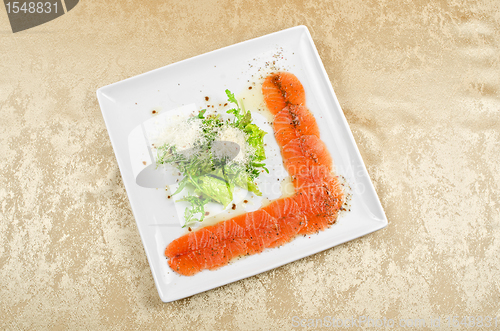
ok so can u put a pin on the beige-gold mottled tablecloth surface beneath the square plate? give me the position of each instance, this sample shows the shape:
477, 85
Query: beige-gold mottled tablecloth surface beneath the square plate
418, 82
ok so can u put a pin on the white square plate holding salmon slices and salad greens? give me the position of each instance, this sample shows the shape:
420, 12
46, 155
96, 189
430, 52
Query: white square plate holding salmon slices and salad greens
130, 102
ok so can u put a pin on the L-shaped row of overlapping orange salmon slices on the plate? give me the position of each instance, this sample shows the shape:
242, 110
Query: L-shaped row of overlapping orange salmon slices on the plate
314, 206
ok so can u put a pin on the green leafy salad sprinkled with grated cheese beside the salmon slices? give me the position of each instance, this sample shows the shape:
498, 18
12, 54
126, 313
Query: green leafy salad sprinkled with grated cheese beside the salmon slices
210, 177
